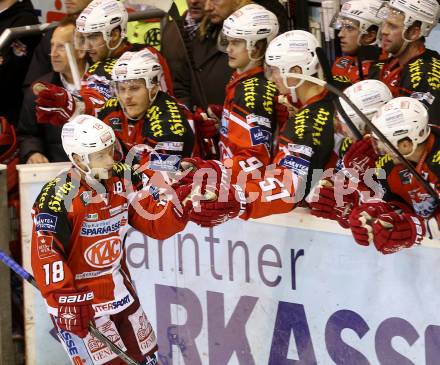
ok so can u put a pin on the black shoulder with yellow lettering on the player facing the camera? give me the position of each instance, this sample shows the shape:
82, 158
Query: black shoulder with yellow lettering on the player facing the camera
166, 118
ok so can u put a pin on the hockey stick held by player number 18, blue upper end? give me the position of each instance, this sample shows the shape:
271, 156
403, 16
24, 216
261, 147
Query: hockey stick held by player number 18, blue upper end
20, 271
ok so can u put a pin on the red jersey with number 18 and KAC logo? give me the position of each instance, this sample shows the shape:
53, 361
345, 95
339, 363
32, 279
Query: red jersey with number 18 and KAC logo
77, 235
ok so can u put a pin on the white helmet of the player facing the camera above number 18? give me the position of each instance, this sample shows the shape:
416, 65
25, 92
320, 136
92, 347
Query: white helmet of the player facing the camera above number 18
138, 65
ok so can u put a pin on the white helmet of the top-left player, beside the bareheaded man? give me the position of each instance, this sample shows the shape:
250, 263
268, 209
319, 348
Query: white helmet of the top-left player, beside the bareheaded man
103, 16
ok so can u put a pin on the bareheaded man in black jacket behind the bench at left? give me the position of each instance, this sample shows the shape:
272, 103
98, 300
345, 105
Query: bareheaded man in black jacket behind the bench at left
41, 143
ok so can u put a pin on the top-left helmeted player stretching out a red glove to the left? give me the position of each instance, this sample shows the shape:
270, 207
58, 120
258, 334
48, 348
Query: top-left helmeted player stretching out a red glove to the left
101, 30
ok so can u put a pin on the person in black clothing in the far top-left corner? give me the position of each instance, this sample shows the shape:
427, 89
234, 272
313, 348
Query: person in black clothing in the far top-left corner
15, 58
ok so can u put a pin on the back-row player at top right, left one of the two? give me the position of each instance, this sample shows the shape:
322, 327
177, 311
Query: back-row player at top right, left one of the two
358, 26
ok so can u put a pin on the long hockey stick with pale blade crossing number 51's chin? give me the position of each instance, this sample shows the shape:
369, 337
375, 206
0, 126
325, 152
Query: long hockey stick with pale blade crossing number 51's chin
376, 131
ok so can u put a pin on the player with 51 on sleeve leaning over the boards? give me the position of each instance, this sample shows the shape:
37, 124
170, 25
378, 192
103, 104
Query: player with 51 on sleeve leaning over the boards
306, 141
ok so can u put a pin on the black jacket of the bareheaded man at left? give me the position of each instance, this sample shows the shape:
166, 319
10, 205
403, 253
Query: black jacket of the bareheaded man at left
34, 137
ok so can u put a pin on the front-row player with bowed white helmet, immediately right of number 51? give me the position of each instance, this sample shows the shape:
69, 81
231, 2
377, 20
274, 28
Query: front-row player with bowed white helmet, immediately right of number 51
333, 198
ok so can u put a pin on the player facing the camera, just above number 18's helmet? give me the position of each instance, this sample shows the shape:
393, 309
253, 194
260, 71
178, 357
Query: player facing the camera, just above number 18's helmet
142, 115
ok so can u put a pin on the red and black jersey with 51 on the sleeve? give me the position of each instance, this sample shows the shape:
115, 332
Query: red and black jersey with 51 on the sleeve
306, 144
